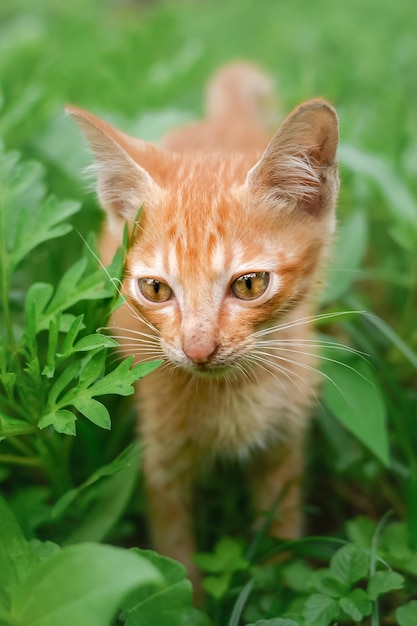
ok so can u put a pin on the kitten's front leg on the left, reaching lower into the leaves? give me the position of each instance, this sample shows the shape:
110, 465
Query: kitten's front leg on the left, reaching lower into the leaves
169, 484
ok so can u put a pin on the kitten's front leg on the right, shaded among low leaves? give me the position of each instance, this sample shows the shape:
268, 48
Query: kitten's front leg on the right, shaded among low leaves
276, 480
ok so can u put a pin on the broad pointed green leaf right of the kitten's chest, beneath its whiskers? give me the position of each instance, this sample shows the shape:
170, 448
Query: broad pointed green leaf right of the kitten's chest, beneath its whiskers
353, 395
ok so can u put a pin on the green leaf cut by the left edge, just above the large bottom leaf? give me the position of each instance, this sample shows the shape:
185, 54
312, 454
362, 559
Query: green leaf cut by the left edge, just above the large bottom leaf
16, 556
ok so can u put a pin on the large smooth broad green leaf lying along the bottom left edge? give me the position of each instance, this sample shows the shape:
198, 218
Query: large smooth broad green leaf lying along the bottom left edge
82, 584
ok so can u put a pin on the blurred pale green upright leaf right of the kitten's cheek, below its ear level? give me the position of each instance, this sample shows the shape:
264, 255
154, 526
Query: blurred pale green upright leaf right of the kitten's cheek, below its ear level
347, 256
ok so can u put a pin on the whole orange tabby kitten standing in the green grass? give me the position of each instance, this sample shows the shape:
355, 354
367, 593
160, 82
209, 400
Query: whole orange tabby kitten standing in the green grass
219, 282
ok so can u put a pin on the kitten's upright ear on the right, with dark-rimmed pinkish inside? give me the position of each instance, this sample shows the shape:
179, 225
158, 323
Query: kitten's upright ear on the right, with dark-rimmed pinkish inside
299, 164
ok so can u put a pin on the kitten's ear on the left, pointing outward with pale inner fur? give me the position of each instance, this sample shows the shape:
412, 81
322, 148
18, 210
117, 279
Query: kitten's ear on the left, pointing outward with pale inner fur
122, 184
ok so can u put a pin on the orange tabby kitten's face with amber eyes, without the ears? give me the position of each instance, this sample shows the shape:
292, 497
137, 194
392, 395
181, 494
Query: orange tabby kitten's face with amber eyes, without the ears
211, 265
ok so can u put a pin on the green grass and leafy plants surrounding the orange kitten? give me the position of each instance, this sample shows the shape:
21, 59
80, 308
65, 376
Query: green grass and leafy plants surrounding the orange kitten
143, 65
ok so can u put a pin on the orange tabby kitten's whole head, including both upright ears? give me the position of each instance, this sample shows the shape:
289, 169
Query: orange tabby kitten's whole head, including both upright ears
225, 246
